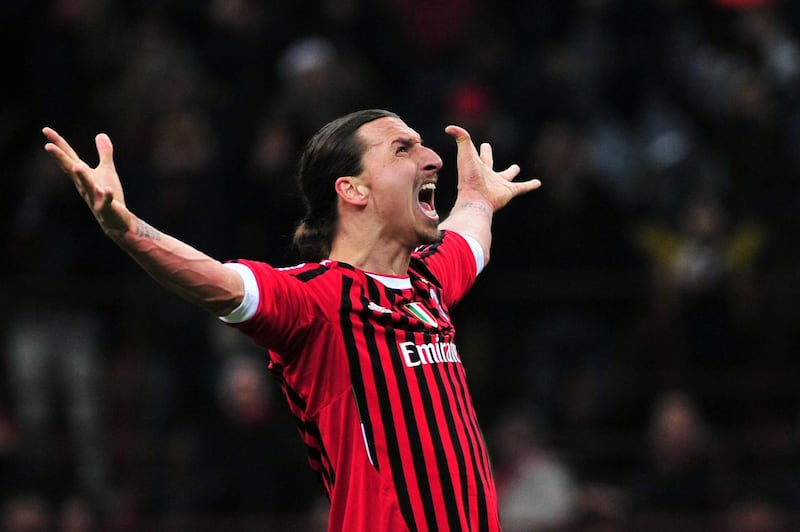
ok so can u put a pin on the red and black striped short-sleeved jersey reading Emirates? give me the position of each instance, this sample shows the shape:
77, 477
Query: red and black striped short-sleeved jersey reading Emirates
371, 371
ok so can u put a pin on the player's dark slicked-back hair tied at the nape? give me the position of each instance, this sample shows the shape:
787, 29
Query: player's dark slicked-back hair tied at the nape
334, 151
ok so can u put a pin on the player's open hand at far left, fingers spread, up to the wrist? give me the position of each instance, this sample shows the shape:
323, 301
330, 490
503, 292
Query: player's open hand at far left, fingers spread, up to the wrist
99, 187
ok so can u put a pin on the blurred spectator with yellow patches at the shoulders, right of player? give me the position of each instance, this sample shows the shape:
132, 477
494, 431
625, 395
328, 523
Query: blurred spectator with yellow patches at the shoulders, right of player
704, 296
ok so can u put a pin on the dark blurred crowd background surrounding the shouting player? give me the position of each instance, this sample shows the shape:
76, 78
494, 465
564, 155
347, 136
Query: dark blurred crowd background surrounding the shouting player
630, 348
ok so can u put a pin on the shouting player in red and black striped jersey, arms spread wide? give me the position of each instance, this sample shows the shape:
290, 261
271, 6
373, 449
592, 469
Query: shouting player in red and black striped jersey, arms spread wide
361, 342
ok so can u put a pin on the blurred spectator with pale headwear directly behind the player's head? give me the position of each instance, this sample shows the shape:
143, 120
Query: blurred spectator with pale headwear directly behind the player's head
316, 82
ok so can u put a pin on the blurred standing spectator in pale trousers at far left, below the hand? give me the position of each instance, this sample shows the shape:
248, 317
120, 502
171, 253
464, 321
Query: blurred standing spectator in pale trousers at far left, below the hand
54, 346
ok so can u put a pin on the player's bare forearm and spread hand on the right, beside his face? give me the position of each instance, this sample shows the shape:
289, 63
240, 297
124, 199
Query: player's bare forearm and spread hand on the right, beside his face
481, 190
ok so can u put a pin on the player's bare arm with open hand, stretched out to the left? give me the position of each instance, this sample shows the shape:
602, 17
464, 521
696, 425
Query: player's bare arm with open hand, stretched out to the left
198, 278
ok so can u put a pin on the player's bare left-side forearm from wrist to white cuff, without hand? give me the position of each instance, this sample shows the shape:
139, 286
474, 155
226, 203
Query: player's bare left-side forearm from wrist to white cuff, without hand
182, 269
